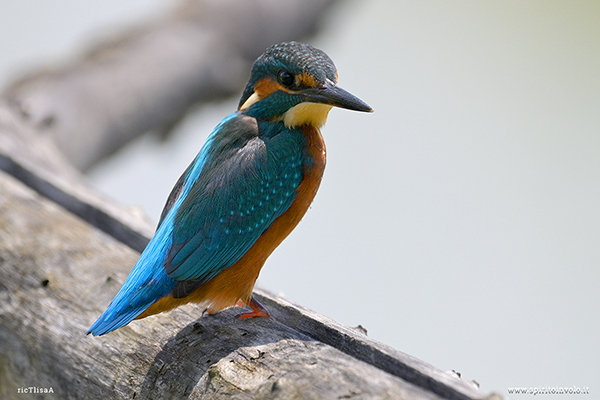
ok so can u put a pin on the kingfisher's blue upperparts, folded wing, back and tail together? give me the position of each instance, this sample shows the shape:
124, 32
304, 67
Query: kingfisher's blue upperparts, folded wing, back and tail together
241, 181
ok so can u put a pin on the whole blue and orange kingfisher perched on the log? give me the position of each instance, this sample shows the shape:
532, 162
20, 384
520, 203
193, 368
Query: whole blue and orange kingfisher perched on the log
246, 190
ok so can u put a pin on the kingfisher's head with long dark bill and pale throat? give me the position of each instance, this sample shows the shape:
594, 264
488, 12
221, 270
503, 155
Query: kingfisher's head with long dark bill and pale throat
296, 83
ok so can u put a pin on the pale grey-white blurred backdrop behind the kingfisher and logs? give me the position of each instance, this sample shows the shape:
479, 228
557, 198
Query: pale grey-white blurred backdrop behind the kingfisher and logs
459, 223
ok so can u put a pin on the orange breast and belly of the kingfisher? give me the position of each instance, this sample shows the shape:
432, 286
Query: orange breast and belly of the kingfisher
237, 281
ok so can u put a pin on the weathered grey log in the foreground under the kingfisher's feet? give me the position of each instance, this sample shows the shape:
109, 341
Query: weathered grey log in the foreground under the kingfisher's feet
58, 272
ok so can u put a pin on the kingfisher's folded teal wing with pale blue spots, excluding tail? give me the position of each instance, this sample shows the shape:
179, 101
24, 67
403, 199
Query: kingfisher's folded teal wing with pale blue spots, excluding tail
248, 178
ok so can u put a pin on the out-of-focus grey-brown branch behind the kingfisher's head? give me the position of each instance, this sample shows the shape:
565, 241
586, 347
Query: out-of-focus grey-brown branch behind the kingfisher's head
148, 77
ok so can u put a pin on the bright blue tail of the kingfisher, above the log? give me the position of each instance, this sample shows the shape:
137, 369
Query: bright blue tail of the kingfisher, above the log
142, 287
